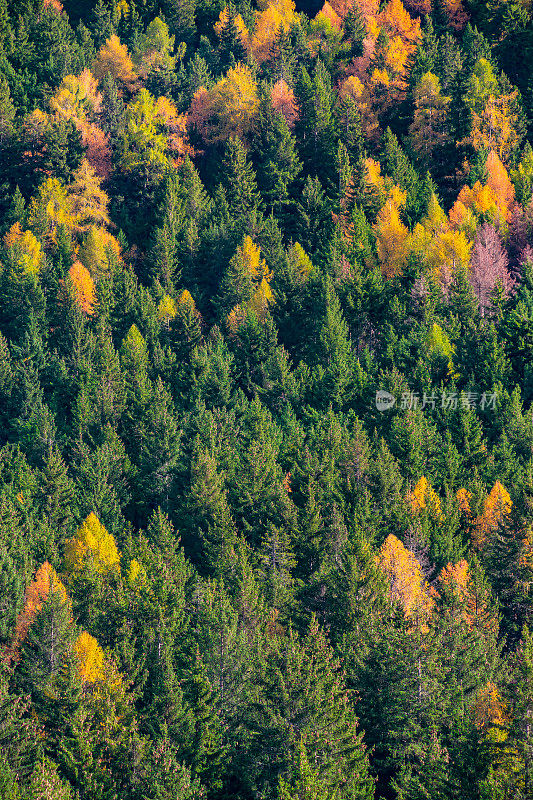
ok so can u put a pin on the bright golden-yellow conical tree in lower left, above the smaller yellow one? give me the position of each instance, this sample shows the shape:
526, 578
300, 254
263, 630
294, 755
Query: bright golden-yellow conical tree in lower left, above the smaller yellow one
92, 545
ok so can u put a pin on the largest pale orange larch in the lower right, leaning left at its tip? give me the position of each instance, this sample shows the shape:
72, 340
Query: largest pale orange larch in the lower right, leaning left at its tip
406, 581
